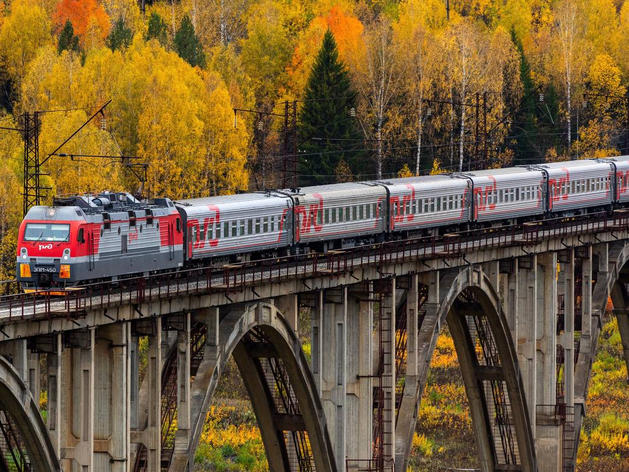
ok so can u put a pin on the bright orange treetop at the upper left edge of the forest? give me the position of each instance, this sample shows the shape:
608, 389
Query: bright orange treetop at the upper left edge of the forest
83, 14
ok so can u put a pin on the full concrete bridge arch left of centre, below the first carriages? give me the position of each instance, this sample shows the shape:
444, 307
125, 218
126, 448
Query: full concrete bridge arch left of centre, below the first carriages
283, 344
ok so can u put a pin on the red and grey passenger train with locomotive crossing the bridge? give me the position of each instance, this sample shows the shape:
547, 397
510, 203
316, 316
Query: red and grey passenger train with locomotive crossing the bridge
111, 236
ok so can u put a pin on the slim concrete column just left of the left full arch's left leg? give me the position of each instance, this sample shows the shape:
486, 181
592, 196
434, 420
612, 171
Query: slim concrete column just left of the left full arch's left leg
183, 386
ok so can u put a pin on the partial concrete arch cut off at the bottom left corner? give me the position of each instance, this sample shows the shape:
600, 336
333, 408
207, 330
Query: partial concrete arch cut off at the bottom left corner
17, 400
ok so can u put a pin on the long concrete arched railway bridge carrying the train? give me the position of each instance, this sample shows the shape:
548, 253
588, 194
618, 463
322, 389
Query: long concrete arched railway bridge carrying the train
524, 304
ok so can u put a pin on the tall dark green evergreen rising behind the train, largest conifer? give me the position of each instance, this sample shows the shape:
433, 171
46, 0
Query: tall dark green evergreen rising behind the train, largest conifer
327, 127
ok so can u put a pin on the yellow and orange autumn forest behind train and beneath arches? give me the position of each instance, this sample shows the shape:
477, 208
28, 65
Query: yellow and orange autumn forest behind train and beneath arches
216, 96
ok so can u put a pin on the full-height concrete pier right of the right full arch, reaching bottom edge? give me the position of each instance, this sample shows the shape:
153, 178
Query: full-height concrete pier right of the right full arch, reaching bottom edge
548, 428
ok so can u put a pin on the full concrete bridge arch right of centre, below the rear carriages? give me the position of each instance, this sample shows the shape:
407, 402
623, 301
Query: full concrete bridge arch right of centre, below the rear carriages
441, 309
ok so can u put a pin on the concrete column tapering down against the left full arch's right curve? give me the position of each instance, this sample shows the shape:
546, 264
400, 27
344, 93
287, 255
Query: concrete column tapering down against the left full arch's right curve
334, 360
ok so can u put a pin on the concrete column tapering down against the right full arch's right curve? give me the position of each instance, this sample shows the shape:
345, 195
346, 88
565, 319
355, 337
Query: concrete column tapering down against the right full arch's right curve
526, 327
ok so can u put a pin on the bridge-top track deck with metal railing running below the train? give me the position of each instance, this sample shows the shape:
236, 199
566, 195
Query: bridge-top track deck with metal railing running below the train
236, 277
